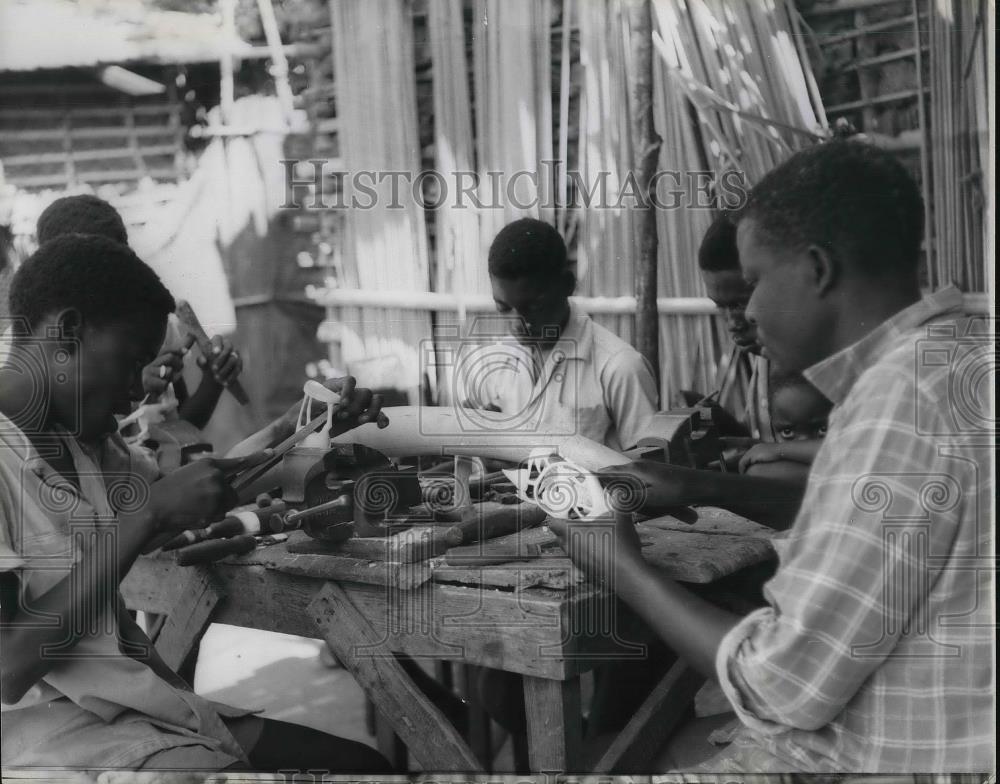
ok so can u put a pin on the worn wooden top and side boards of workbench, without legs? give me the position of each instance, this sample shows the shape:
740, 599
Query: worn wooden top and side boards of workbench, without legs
534, 617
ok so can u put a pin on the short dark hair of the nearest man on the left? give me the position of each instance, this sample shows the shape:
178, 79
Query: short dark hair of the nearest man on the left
102, 279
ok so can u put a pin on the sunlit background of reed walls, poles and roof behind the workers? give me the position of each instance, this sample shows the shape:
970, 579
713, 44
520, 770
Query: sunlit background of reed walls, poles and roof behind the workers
181, 114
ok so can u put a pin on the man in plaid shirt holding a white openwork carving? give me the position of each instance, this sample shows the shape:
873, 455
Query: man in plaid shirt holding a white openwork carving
874, 651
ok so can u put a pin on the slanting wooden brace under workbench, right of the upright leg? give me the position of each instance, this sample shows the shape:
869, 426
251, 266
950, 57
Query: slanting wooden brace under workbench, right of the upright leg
657, 717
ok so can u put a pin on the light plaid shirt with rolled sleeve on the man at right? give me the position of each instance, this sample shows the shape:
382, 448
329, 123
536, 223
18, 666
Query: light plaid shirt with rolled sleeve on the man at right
875, 653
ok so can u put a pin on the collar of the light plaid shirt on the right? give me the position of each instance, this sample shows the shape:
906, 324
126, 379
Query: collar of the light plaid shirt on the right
835, 375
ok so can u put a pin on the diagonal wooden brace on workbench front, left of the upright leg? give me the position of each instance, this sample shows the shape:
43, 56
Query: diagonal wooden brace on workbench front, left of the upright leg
427, 733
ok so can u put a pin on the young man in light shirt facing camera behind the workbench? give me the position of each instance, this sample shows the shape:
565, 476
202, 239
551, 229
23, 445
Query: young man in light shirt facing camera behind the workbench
555, 372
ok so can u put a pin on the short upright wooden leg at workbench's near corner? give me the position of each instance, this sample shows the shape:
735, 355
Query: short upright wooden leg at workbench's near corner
555, 724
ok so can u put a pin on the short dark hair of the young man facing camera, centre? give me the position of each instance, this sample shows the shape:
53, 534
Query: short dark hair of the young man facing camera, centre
528, 248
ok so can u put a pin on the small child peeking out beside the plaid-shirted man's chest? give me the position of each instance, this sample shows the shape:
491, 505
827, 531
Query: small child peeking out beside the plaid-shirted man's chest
799, 415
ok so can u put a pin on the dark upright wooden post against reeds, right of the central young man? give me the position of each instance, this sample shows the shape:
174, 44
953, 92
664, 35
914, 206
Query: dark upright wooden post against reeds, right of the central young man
646, 152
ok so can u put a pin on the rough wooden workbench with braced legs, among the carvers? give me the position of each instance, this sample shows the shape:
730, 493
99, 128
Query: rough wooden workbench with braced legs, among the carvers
539, 618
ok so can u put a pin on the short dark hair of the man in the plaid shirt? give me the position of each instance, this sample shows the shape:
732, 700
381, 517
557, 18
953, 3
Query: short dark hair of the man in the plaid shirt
852, 199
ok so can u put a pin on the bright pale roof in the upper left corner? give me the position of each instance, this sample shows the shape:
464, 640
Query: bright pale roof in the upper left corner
38, 34
